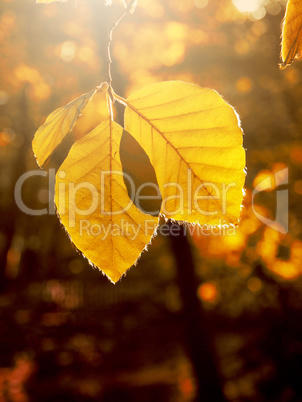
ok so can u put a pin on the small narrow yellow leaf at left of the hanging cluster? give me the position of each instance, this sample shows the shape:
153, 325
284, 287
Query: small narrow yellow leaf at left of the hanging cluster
57, 125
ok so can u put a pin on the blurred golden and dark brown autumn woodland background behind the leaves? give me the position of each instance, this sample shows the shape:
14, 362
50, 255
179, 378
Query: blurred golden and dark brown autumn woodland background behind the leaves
212, 318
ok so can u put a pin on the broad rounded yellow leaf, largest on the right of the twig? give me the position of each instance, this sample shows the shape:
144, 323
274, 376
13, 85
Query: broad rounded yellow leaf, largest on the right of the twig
194, 142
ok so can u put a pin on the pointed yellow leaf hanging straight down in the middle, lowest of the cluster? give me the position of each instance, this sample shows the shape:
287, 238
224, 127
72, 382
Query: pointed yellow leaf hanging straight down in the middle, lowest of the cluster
94, 205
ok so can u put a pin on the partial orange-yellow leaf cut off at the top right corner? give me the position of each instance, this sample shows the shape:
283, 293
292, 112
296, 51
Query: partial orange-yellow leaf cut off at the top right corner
291, 47
